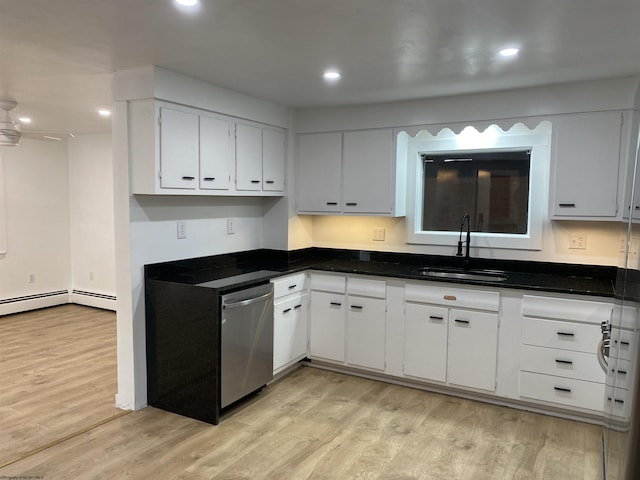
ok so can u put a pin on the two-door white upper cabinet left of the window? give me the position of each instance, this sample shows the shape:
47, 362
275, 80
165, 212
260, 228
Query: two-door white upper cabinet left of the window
350, 173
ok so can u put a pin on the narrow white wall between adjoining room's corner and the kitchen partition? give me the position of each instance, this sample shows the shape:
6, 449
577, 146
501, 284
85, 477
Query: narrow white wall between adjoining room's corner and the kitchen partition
91, 220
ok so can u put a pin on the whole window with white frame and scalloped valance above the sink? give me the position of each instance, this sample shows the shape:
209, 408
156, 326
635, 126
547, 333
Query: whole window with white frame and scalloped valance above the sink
499, 178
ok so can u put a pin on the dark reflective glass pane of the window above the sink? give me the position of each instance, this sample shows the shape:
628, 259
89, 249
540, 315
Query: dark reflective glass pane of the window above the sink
491, 186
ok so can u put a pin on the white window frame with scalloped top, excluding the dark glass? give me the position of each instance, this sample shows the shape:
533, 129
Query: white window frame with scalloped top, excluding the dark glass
518, 136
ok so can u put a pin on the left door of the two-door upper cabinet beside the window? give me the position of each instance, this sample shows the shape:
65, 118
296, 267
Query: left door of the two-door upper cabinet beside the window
320, 172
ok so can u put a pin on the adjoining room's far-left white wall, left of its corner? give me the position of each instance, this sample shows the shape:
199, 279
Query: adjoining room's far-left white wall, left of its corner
37, 225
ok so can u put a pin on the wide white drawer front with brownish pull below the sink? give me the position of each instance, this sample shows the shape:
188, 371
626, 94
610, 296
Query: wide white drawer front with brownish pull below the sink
453, 297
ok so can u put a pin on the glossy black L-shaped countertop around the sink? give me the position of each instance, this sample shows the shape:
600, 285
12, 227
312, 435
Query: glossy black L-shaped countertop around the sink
215, 271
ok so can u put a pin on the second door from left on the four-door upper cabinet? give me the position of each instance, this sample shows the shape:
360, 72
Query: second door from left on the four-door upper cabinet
216, 153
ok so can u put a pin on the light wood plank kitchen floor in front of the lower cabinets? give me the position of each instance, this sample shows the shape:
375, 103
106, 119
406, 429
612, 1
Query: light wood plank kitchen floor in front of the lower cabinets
324, 425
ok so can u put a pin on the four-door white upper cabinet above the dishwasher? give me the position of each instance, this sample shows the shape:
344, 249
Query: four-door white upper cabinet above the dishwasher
177, 150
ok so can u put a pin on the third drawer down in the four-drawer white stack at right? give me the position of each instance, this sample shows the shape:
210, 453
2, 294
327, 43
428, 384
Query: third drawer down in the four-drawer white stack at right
562, 363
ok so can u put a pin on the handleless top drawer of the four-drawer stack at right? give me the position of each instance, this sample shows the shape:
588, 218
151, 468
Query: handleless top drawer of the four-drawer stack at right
566, 309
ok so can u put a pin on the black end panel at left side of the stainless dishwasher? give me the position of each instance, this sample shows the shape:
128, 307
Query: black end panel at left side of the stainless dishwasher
183, 349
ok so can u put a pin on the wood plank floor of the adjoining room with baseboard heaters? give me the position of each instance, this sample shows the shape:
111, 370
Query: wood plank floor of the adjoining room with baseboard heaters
58, 375
